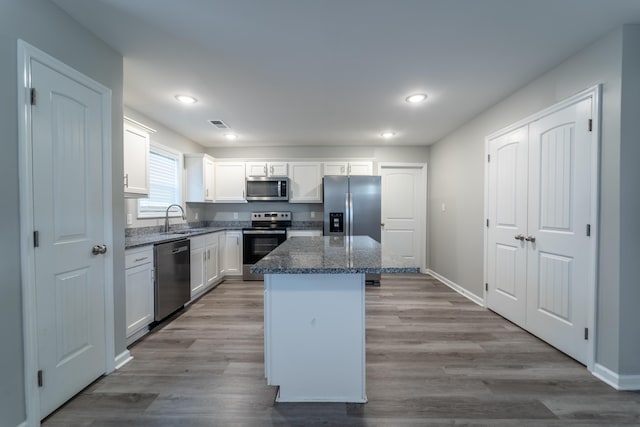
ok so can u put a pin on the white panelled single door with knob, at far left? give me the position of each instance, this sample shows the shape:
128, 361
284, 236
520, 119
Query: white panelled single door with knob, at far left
68, 215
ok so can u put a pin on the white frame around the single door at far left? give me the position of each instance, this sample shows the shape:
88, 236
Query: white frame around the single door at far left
26, 53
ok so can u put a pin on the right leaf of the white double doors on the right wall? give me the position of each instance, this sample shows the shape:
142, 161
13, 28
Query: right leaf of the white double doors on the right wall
559, 212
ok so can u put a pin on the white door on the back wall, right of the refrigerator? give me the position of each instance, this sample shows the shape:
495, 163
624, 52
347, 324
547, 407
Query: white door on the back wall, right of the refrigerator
403, 211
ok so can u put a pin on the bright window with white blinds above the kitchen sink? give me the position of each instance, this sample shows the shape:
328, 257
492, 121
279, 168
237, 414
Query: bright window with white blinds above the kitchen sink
165, 166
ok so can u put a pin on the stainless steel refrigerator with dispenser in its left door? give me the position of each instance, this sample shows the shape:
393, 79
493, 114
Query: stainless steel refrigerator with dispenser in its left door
352, 206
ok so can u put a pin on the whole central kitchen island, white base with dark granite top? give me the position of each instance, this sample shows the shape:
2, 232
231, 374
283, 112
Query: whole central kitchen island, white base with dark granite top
314, 315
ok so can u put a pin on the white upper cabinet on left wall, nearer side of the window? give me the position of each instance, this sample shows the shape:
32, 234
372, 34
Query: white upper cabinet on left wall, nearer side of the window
136, 161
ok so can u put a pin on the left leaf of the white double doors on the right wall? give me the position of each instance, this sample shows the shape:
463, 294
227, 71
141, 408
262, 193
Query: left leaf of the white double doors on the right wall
507, 255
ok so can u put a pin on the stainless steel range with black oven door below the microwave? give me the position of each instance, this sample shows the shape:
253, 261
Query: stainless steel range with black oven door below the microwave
268, 230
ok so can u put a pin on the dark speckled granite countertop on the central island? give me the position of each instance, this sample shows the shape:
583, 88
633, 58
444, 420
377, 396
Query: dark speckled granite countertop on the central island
331, 255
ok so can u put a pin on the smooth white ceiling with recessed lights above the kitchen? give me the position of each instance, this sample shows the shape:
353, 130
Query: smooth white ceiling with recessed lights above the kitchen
336, 72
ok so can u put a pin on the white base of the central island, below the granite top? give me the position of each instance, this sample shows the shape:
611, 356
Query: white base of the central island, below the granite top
314, 326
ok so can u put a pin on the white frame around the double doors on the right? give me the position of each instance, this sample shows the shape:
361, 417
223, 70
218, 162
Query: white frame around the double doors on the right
595, 93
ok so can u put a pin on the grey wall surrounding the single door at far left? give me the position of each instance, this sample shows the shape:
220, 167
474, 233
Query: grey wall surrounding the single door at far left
46, 27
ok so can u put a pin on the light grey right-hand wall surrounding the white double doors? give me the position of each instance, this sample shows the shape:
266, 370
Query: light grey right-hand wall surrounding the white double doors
456, 178
